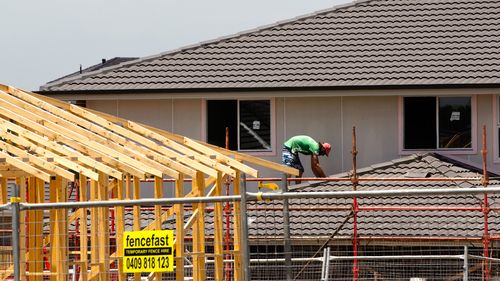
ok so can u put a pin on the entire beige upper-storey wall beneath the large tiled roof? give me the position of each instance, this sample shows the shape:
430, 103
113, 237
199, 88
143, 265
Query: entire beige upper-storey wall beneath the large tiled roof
326, 118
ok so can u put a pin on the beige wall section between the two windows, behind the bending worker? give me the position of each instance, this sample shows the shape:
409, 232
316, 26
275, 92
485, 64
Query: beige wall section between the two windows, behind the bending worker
331, 119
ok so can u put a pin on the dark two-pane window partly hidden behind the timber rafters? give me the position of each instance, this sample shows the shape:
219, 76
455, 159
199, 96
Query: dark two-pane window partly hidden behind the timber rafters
248, 123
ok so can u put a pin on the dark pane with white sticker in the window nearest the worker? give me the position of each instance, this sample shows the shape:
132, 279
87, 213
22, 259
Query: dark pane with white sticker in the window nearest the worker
255, 125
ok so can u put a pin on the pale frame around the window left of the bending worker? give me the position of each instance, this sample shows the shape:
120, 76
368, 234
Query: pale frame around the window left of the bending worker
272, 105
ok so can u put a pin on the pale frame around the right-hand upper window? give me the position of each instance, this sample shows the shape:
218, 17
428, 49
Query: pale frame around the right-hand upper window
449, 151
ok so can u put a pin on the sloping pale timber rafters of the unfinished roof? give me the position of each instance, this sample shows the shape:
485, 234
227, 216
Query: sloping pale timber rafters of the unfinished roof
42, 137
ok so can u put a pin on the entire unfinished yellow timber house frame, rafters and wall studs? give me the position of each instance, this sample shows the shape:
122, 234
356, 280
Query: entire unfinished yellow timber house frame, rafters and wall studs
48, 143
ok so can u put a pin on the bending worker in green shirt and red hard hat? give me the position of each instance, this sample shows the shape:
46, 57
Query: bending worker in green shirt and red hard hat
307, 146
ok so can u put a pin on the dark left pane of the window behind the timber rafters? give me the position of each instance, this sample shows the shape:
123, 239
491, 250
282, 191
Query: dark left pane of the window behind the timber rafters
222, 114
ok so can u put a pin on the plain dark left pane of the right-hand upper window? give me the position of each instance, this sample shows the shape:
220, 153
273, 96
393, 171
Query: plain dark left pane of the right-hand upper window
419, 122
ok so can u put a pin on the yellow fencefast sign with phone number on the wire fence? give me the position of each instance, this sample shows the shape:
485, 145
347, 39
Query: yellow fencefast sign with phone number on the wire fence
148, 251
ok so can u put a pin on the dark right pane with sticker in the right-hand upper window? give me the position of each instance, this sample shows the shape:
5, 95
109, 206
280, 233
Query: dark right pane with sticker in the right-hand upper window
454, 122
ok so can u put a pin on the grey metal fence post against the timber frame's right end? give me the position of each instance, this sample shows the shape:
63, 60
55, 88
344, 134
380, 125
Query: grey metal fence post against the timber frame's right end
245, 253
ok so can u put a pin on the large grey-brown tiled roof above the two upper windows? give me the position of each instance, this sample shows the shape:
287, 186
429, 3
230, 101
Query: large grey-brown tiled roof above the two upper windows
361, 44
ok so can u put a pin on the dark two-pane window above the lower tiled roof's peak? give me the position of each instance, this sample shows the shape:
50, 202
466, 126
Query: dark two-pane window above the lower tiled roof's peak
437, 123
